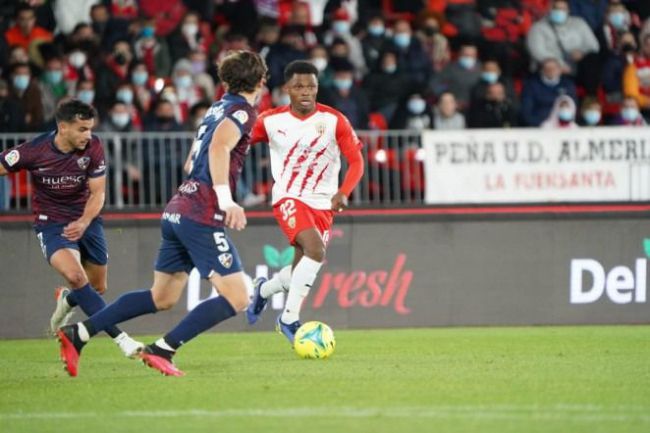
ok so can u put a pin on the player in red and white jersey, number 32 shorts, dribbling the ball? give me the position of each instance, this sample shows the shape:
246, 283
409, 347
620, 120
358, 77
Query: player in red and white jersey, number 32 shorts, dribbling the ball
306, 140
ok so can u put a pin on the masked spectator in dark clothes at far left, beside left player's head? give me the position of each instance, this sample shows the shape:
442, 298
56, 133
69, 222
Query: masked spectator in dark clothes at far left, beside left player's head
27, 94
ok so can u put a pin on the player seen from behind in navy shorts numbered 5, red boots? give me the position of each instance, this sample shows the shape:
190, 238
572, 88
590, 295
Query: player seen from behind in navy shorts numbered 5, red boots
192, 228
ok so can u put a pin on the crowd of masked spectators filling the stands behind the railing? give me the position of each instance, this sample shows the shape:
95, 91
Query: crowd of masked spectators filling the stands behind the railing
149, 65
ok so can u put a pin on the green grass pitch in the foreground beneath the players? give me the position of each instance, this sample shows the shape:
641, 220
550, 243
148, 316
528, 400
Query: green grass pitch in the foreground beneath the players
559, 379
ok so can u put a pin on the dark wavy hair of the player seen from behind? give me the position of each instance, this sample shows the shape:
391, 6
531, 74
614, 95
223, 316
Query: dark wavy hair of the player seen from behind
242, 71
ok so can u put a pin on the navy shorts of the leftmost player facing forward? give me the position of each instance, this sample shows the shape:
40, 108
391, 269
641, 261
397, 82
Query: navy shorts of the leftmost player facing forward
92, 245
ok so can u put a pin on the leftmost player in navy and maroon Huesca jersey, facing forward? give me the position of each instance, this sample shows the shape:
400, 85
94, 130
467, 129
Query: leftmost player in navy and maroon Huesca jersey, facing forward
69, 176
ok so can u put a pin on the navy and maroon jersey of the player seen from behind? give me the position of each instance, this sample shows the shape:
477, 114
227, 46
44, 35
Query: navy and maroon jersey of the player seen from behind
195, 198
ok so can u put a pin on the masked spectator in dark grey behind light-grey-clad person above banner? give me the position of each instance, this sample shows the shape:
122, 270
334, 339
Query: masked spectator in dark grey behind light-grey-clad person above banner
459, 77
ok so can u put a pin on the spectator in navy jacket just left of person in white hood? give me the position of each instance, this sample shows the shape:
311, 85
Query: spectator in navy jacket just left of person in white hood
541, 90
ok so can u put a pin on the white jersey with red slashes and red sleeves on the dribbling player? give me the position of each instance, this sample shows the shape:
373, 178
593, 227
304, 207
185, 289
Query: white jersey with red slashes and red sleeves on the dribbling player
306, 152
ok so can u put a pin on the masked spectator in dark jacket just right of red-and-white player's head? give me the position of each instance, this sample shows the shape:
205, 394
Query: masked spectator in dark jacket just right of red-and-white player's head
346, 96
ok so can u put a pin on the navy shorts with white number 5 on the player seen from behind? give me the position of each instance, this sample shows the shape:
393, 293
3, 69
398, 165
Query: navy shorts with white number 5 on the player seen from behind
187, 244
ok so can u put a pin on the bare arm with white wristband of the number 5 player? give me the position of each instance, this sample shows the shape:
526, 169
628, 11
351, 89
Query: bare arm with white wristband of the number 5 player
224, 139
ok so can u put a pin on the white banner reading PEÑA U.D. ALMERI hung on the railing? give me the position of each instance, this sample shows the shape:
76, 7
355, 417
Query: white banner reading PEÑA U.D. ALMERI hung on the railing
533, 165
